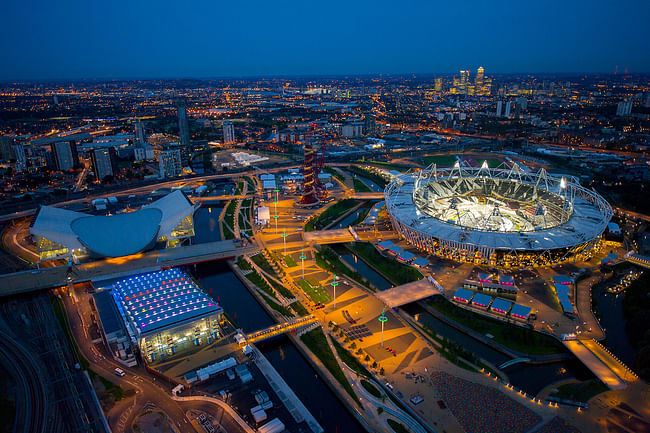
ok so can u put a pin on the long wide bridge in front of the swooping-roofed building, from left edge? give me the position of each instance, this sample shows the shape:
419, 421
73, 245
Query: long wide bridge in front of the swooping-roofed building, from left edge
45, 278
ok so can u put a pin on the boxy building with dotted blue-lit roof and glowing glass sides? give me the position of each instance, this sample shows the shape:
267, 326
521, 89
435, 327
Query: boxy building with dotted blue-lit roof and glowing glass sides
166, 313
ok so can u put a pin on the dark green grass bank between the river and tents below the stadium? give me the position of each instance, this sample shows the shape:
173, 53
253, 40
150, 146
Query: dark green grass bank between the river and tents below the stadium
515, 337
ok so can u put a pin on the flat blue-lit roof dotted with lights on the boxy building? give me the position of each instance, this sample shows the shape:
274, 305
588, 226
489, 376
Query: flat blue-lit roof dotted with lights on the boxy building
157, 300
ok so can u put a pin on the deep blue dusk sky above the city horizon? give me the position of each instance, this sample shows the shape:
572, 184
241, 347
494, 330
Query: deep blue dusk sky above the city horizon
47, 39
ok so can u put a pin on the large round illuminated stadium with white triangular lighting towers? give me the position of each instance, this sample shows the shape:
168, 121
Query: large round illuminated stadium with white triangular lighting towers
509, 217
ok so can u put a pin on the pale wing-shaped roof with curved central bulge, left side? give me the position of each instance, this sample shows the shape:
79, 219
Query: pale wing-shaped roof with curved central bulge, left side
115, 235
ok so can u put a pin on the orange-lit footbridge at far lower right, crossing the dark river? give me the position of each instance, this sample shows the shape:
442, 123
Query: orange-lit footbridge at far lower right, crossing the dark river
601, 362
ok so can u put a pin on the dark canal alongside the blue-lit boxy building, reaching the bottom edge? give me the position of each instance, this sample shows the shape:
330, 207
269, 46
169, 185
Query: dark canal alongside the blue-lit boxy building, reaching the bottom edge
224, 286
